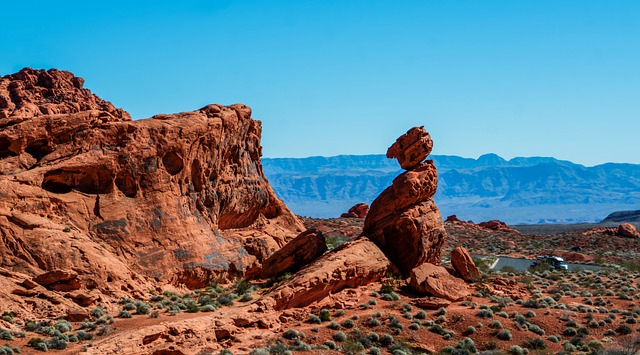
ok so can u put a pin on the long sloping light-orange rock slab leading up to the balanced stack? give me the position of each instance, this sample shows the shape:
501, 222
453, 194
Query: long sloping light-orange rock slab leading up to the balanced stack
350, 265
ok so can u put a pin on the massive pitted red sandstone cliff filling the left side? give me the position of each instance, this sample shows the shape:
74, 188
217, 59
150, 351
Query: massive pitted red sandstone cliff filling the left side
124, 203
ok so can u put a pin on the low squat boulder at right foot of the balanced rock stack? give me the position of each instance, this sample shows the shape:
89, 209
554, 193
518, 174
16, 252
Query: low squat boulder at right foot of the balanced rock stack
435, 280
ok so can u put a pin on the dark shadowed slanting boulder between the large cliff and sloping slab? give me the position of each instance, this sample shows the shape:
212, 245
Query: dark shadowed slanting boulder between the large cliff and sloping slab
302, 250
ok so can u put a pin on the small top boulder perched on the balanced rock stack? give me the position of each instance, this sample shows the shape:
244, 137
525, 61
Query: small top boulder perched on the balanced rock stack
412, 148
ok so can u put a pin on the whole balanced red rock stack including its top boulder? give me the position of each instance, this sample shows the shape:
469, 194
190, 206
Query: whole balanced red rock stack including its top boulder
404, 221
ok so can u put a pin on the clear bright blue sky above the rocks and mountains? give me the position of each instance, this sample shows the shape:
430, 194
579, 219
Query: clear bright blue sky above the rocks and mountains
517, 78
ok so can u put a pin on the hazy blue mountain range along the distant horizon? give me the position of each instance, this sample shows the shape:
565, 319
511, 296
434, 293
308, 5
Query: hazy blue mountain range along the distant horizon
520, 190
